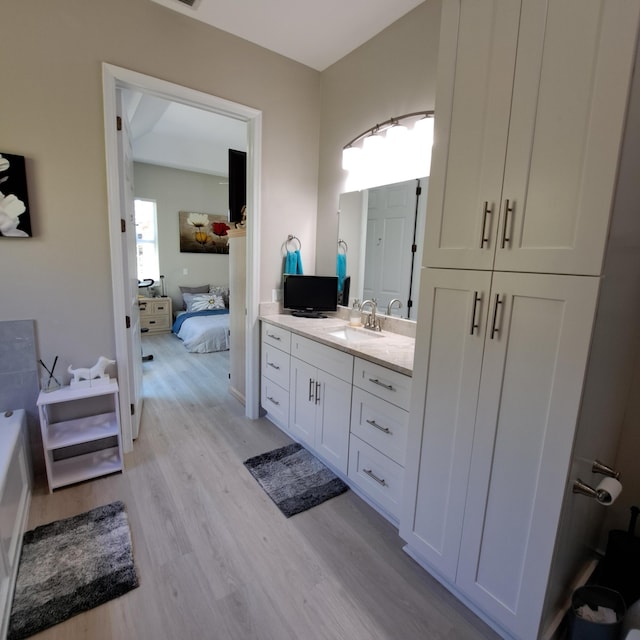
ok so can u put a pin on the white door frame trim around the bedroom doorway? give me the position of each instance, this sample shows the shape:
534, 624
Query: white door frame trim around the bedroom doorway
114, 78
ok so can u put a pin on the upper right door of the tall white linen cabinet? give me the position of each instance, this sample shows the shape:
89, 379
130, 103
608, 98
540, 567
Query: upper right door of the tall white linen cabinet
571, 81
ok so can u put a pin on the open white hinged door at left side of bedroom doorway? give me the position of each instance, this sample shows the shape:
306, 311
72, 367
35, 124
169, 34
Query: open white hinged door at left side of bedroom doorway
132, 377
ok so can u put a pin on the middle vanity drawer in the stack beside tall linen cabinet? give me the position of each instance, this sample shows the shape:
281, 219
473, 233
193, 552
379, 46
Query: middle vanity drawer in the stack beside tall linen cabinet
380, 424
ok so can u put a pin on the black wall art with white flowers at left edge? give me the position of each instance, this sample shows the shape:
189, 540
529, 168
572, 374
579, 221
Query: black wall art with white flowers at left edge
14, 203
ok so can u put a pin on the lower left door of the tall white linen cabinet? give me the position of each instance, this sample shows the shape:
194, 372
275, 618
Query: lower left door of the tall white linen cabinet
453, 320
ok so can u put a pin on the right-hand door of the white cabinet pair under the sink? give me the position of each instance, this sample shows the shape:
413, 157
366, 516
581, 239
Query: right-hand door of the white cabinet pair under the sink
332, 420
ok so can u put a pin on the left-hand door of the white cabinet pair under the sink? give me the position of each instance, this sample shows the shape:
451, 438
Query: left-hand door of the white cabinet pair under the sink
302, 401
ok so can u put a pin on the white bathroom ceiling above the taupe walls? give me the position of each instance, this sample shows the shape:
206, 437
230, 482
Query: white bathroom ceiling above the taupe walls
314, 33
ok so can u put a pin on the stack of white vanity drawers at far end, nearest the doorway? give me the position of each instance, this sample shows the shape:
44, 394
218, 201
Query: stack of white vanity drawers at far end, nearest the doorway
274, 380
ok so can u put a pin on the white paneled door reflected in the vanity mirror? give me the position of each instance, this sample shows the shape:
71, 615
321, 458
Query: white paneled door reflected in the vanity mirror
391, 218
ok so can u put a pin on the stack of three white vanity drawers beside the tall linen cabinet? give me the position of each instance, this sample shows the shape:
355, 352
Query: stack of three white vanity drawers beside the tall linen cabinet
379, 424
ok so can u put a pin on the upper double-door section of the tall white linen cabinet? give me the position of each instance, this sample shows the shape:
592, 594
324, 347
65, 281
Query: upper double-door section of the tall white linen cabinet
531, 100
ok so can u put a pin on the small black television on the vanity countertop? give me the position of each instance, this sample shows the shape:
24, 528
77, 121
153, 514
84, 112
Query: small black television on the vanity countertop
309, 296
